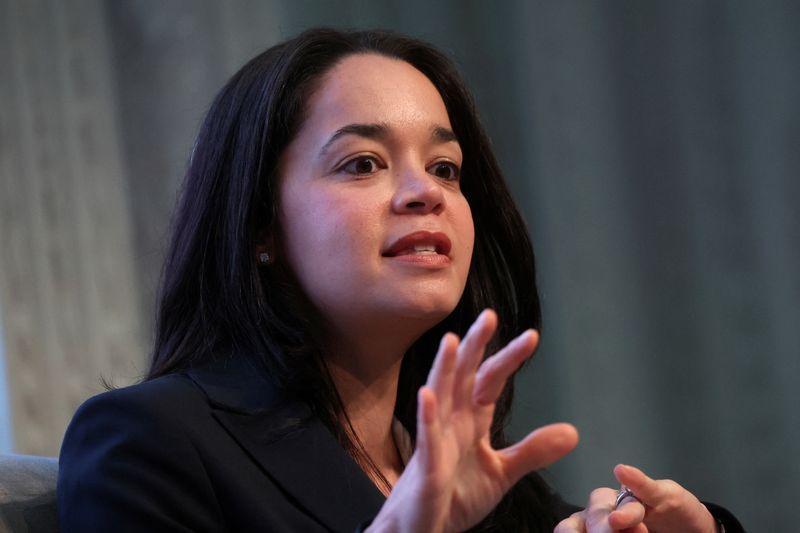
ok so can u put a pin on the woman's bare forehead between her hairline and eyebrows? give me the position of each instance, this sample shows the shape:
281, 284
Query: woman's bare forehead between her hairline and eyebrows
370, 88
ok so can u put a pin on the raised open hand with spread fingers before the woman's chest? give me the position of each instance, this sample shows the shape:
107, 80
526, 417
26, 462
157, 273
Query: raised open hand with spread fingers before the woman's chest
455, 477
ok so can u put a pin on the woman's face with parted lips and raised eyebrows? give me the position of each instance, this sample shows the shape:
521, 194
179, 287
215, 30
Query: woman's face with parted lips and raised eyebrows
375, 227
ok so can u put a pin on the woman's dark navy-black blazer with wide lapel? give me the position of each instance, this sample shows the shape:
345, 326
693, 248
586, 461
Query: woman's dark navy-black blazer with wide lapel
212, 449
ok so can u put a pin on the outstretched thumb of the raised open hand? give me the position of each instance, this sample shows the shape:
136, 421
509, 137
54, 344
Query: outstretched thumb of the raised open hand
539, 449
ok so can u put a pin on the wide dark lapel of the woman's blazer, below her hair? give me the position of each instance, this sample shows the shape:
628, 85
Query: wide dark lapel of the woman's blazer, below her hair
289, 444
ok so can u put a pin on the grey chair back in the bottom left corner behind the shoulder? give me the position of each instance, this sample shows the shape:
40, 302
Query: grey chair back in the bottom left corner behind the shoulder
28, 494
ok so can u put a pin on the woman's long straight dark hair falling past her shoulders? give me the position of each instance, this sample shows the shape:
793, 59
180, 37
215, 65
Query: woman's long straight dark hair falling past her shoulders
217, 300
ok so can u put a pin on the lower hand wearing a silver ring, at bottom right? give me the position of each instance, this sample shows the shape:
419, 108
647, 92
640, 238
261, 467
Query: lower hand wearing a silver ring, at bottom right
660, 505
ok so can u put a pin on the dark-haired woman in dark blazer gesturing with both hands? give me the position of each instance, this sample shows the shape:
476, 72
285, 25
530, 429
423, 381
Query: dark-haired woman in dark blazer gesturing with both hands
342, 212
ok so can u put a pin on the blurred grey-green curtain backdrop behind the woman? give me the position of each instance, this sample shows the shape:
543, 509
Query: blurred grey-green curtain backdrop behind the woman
652, 146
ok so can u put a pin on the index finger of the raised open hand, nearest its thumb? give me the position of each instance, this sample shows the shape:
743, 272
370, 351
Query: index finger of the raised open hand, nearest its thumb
495, 371
